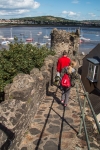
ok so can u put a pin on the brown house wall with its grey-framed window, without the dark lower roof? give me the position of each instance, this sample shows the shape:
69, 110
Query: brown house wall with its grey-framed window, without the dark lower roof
91, 70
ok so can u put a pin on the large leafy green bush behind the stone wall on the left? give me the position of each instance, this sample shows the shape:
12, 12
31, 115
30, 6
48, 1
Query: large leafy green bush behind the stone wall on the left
20, 58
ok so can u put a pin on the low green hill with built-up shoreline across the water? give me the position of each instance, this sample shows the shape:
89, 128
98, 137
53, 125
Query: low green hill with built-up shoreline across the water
49, 21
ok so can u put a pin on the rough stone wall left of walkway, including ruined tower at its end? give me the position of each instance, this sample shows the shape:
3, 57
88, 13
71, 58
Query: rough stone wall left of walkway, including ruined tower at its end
24, 95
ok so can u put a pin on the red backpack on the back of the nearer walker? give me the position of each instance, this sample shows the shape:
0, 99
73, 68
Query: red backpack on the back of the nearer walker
65, 81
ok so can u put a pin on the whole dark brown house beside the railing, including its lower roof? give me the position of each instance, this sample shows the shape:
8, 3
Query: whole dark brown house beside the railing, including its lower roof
90, 76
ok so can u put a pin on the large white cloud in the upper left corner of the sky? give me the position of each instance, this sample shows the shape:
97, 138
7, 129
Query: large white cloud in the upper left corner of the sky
11, 7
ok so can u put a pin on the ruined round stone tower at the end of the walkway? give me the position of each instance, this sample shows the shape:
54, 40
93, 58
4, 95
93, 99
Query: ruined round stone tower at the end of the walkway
62, 40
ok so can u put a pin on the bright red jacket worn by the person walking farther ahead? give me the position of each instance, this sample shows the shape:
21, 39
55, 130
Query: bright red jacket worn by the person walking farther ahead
63, 62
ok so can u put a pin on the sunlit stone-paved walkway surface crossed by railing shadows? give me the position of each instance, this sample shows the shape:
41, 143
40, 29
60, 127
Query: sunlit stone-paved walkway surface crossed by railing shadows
55, 127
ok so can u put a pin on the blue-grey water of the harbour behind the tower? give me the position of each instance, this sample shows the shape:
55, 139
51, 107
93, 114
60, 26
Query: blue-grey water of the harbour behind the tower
32, 32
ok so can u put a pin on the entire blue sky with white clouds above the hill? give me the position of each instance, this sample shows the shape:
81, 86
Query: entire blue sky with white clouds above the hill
69, 9
